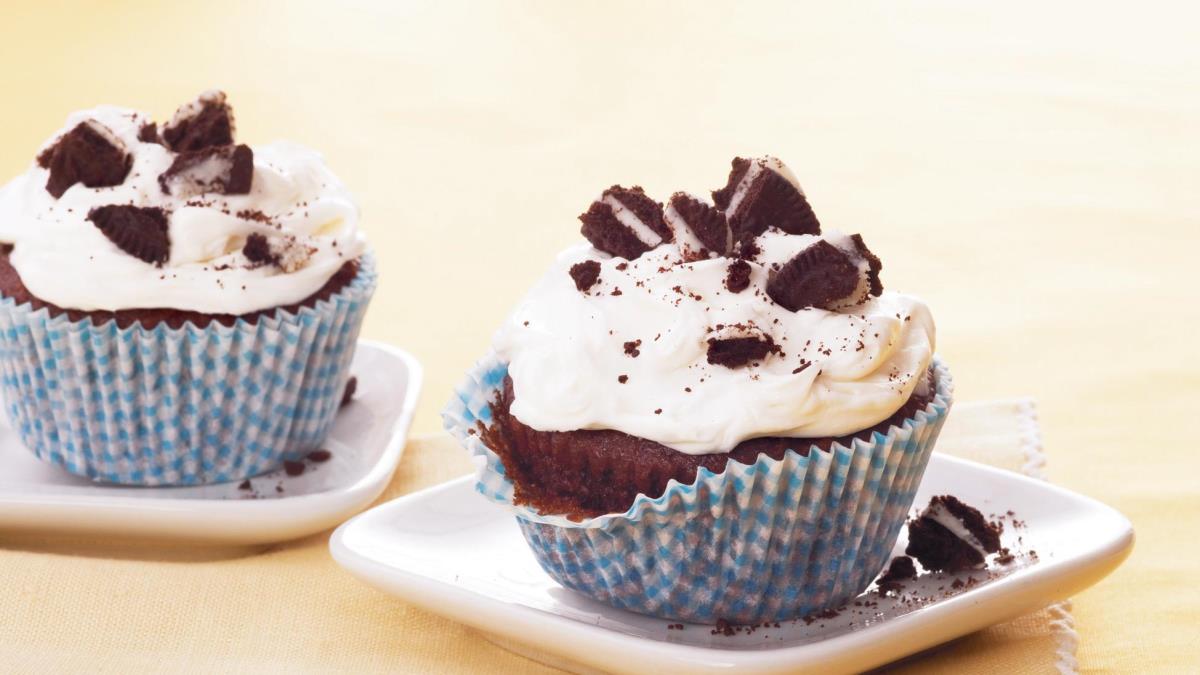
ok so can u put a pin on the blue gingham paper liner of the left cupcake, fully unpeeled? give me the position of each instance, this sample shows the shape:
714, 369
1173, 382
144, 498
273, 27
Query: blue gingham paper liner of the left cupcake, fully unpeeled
179, 407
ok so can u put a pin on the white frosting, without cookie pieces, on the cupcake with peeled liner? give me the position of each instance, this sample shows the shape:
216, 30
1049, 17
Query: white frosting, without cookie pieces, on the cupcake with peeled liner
566, 354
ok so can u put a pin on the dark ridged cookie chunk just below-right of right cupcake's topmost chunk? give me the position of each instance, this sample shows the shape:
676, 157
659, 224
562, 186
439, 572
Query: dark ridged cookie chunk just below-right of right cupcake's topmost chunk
819, 277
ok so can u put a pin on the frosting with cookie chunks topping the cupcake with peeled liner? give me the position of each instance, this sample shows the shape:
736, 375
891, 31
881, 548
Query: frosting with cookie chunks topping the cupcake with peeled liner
700, 326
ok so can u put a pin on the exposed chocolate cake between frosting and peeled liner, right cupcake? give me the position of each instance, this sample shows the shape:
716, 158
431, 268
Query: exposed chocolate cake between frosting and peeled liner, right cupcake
585, 474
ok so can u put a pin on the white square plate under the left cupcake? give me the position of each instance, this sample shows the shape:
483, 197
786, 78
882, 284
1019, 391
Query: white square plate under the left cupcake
367, 443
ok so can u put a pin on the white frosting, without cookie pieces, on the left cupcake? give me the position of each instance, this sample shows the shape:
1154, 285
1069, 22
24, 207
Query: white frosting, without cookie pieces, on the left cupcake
65, 260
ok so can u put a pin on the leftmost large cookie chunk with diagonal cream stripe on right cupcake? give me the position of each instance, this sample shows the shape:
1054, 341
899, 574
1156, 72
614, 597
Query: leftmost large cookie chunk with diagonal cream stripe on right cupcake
625, 223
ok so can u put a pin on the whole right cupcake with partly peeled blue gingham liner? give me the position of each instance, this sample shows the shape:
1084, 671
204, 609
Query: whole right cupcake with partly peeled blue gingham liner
711, 410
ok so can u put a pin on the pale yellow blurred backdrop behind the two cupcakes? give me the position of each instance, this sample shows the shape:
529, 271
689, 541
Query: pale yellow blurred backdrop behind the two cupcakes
1030, 171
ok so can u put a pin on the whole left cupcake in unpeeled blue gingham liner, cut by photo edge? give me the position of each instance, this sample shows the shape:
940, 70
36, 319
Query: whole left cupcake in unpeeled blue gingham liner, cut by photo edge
177, 308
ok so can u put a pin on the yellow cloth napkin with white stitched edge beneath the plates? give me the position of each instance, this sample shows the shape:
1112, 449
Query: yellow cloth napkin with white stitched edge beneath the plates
106, 607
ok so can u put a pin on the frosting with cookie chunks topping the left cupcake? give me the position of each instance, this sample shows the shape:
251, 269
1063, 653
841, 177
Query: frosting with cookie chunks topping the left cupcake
118, 213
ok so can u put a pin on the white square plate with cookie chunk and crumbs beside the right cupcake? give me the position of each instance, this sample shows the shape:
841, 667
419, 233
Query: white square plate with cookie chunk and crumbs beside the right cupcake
448, 551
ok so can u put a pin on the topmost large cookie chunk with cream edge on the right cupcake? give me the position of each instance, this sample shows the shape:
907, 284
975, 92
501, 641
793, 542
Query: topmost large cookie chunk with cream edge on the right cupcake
763, 194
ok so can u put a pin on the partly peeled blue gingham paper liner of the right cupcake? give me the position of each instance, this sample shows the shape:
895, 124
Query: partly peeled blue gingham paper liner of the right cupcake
772, 541
